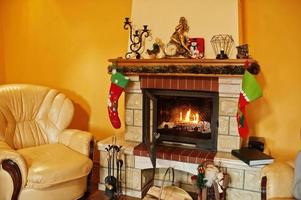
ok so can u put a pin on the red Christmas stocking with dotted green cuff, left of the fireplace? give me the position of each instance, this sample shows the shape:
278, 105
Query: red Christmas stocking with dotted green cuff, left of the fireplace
118, 84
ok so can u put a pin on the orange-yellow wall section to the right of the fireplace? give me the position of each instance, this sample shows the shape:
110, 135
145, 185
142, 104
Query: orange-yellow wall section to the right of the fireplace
272, 28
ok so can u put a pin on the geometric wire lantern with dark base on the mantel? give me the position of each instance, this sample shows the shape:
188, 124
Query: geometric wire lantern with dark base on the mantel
222, 45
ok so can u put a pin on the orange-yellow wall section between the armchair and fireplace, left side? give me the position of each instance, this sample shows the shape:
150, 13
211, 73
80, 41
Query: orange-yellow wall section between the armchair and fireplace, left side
65, 44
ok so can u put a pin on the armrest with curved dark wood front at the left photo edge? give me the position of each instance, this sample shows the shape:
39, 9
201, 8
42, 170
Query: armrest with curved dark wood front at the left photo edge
14, 164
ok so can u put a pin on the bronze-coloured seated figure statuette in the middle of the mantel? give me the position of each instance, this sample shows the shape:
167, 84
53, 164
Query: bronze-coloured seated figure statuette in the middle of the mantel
179, 42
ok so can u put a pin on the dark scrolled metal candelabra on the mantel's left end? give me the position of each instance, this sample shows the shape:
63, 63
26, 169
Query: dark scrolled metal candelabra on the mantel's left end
136, 38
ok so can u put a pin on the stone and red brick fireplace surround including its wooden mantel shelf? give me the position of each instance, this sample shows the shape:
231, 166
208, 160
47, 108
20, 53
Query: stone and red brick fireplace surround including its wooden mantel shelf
185, 78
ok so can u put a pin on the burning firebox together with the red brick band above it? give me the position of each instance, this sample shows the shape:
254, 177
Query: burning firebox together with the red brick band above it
184, 111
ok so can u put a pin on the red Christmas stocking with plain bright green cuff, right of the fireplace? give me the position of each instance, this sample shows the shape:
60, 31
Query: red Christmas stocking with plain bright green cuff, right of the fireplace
250, 92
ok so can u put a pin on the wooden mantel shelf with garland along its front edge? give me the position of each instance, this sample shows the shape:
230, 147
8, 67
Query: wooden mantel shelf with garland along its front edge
182, 66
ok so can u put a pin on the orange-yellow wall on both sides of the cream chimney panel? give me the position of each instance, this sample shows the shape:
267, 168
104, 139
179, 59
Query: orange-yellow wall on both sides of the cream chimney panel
66, 44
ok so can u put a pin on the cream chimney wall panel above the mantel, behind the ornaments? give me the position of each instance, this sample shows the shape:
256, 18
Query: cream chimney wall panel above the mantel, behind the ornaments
205, 19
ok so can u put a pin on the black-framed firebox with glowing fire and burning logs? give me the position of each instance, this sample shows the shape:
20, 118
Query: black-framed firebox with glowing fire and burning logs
181, 117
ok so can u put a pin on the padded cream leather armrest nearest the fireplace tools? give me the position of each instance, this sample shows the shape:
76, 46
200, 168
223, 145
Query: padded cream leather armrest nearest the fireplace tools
76, 139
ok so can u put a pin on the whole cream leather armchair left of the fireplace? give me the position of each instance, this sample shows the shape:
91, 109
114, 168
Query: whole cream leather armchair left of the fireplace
39, 157
